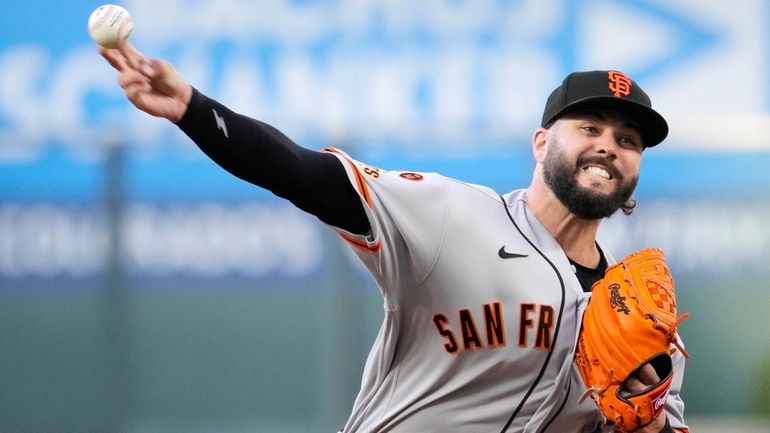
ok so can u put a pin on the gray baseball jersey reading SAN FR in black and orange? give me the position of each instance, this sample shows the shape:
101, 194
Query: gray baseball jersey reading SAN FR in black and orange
482, 312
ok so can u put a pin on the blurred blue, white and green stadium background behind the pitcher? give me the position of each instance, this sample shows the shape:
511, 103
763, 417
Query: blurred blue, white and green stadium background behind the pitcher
143, 289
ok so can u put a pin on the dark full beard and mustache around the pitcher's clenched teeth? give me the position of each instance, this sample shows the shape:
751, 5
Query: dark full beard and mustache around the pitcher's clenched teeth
562, 179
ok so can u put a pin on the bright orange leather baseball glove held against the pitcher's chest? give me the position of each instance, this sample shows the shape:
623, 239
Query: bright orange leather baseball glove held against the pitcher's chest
630, 322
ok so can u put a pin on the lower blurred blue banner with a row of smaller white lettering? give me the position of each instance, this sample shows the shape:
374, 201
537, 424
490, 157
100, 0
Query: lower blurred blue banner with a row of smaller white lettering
187, 217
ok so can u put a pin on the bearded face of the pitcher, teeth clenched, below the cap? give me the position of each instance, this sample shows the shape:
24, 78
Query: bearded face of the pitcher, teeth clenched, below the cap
592, 163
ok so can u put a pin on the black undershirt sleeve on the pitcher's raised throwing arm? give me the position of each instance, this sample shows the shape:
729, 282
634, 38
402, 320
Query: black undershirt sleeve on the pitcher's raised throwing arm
256, 152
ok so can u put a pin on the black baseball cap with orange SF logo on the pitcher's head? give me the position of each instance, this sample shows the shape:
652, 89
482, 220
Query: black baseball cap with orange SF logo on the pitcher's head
606, 90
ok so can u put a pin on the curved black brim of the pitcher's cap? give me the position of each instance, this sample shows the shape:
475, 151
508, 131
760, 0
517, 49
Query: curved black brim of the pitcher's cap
653, 126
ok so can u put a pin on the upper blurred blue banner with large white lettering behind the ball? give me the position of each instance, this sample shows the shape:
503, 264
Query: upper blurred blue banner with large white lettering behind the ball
455, 76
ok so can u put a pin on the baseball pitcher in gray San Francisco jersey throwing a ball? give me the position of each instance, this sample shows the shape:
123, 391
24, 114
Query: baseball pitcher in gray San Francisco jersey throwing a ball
502, 313
